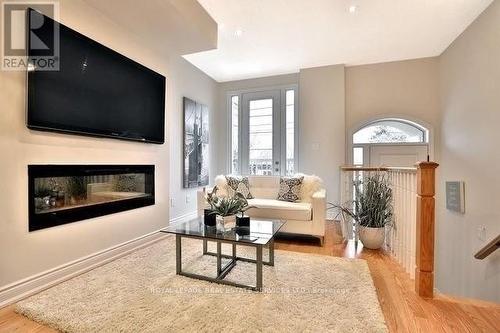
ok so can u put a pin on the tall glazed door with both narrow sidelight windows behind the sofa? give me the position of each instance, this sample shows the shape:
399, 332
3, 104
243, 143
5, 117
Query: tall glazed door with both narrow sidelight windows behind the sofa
263, 125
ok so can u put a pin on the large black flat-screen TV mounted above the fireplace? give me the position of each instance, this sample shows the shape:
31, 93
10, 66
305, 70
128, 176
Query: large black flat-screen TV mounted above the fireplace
96, 91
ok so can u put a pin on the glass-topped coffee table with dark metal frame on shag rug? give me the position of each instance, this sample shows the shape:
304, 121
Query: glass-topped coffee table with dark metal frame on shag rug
259, 234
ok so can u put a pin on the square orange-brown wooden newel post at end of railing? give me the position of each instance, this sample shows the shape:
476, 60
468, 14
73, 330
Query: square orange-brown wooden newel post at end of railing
424, 271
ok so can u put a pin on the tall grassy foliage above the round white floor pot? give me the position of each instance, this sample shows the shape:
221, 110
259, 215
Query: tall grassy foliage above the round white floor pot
372, 204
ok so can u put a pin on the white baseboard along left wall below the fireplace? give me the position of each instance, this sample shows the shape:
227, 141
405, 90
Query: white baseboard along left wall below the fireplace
18, 290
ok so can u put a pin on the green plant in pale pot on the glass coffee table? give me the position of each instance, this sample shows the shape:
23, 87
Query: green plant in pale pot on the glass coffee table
226, 208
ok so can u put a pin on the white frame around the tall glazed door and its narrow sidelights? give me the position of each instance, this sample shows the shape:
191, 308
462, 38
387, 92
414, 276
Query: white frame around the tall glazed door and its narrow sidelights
283, 89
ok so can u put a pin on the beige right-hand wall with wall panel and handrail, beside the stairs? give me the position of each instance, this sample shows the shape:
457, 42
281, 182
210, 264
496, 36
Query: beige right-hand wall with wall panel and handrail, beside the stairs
470, 102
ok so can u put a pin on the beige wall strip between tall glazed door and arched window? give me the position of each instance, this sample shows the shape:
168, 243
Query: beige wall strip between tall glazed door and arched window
322, 125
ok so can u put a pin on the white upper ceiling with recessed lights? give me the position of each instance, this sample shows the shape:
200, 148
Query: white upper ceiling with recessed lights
267, 37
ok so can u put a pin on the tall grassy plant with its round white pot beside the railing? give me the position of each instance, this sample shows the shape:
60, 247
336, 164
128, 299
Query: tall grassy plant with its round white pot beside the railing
371, 209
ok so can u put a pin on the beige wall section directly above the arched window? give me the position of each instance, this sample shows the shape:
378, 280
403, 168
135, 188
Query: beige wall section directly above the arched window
406, 89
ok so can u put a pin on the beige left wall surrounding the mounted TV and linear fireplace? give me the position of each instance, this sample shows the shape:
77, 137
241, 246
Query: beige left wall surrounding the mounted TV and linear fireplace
23, 254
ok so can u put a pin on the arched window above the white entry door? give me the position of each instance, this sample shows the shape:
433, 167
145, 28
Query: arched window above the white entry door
391, 131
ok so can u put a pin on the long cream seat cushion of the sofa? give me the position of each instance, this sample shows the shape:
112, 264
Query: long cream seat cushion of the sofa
275, 209
